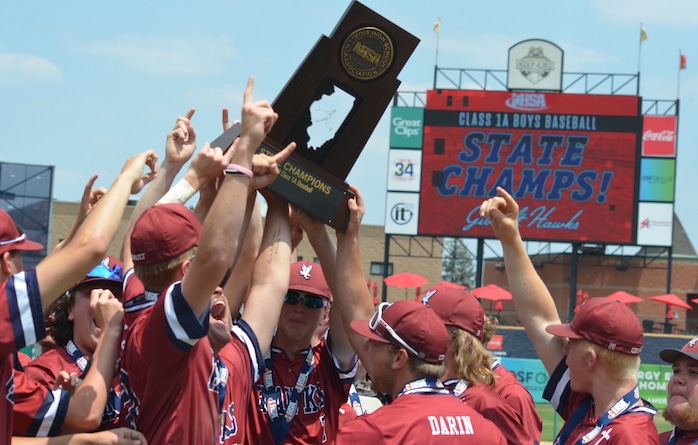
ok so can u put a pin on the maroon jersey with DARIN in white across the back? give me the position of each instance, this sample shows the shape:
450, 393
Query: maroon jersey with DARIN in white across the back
421, 419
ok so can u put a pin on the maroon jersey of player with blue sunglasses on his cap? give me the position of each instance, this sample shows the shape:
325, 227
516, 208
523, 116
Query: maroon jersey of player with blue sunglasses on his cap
45, 368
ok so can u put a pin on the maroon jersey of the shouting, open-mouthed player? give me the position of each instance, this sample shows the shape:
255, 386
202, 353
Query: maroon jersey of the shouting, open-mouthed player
242, 359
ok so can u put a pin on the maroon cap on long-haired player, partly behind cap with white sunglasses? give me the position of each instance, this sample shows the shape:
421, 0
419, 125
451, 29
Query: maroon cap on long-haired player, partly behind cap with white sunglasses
457, 307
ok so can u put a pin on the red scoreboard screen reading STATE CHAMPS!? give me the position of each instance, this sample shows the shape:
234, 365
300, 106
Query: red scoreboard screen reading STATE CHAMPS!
570, 160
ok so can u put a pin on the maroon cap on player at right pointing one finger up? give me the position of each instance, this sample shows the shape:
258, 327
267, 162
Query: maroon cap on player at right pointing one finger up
605, 322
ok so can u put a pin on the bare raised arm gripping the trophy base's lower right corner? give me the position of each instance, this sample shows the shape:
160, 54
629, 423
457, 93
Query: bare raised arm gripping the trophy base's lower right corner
353, 299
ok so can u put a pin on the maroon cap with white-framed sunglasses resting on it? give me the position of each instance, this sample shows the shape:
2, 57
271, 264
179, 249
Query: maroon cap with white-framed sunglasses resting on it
410, 325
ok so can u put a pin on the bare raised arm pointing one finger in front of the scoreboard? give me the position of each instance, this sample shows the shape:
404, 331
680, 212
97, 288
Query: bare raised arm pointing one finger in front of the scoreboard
534, 305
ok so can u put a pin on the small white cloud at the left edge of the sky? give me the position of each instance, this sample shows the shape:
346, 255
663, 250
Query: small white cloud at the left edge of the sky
18, 68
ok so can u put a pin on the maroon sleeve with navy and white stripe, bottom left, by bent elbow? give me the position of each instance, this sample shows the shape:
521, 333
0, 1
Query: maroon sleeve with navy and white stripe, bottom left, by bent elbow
38, 411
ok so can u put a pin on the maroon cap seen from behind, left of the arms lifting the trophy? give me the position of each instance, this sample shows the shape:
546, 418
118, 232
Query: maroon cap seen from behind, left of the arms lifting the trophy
163, 232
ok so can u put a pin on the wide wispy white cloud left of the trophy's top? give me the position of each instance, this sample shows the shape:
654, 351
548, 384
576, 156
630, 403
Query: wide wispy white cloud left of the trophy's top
195, 55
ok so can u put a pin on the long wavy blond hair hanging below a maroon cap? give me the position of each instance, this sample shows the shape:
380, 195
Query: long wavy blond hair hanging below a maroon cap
472, 359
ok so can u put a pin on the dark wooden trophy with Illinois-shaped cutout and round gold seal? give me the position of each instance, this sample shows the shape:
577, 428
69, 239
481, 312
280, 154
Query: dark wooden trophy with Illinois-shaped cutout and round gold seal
359, 62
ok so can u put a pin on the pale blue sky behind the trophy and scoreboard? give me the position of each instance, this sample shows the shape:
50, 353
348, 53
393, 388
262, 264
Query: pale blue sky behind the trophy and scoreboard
83, 85
